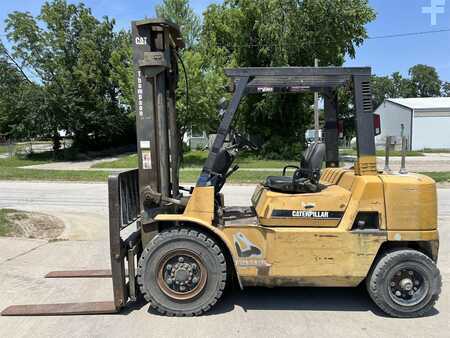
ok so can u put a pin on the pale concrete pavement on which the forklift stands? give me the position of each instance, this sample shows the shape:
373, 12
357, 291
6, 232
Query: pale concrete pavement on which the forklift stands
278, 312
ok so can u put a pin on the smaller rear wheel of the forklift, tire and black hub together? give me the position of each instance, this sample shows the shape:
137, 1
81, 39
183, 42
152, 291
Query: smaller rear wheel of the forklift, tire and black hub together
404, 283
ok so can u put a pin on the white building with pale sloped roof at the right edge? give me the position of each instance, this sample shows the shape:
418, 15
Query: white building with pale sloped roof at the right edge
426, 122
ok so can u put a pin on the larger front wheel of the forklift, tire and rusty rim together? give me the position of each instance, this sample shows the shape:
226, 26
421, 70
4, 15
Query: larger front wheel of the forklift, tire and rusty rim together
182, 272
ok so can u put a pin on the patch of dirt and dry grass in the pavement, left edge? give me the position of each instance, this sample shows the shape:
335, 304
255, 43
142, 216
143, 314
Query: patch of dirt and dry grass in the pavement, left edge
16, 223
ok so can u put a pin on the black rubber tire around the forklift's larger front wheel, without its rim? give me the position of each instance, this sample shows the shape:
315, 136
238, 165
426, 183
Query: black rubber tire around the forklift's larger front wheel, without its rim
188, 239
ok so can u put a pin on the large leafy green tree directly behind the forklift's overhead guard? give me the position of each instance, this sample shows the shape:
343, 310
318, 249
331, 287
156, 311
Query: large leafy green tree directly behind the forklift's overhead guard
282, 33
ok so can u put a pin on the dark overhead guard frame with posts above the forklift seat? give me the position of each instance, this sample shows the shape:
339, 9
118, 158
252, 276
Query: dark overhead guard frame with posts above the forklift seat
320, 79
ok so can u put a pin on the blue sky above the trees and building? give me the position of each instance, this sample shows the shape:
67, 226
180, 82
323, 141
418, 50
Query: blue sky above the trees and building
385, 56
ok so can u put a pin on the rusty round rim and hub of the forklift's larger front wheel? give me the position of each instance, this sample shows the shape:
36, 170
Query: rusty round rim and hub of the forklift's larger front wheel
182, 275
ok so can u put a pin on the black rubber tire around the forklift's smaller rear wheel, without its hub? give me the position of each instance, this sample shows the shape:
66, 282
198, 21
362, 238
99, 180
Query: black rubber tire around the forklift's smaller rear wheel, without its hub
378, 284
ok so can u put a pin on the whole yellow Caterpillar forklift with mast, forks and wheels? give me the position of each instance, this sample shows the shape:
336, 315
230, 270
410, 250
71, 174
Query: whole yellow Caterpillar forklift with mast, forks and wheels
179, 248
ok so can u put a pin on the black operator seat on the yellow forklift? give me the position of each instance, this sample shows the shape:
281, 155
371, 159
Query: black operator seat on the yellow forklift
306, 178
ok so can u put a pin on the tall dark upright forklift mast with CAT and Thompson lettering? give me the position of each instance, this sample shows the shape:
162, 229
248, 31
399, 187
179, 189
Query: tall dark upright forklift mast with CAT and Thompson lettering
155, 46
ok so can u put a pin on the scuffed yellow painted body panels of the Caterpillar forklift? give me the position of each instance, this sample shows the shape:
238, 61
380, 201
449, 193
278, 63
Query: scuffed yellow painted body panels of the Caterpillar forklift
294, 251
